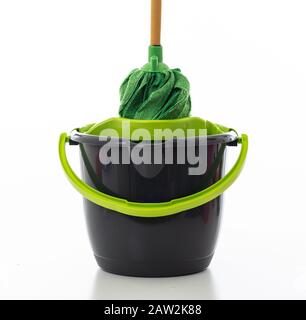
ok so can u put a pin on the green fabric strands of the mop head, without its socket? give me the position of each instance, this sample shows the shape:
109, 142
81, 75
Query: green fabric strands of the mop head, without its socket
146, 95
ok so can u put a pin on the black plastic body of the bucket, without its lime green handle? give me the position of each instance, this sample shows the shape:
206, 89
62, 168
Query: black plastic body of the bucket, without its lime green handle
177, 244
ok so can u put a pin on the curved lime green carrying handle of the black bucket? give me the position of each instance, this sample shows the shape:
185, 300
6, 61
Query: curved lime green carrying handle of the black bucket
153, 210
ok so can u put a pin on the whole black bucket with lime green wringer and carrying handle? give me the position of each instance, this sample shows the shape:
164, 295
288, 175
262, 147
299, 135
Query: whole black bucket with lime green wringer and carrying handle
153, 219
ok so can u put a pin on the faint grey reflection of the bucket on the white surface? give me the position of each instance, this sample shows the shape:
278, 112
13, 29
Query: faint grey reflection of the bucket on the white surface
198, 286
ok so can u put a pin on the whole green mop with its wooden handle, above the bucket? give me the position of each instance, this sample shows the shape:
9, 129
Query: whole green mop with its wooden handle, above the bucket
155, 92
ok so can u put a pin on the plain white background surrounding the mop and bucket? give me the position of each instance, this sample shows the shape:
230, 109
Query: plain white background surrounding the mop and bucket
61, 64
